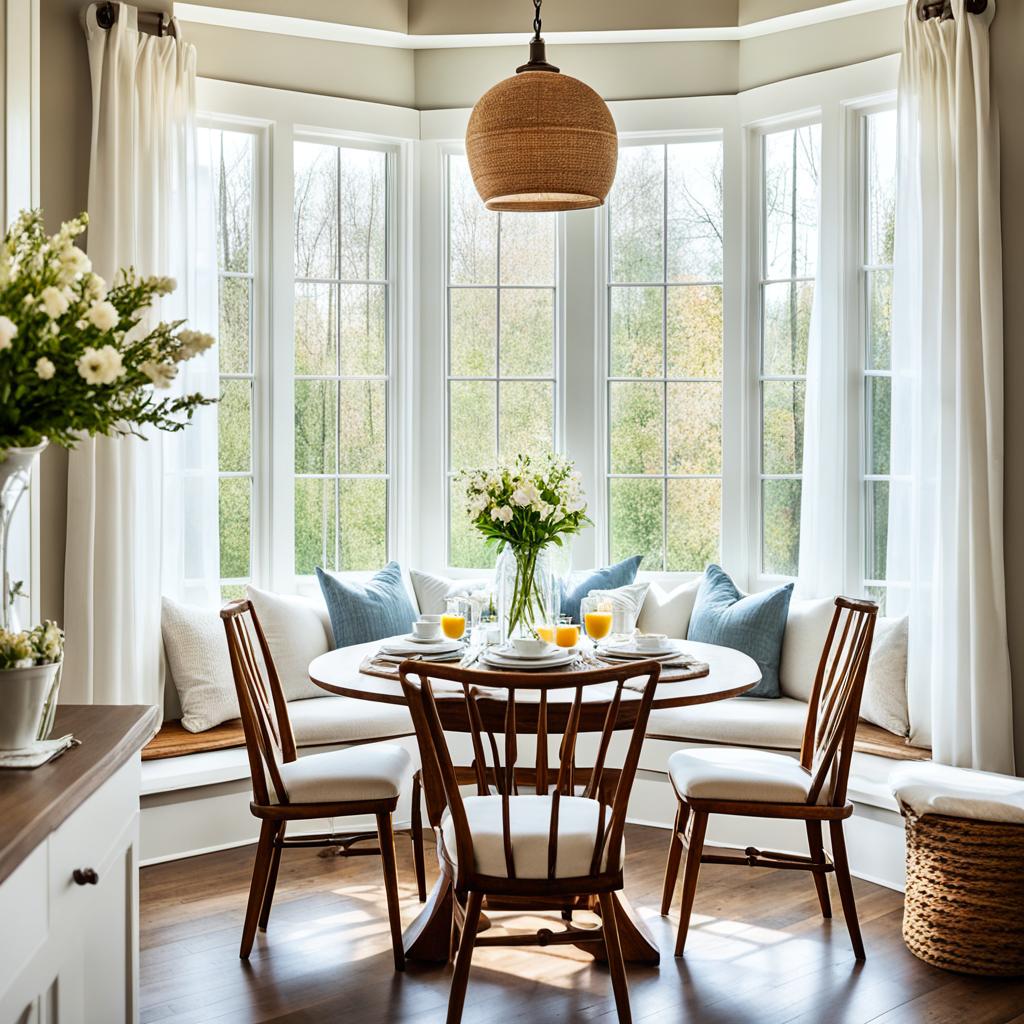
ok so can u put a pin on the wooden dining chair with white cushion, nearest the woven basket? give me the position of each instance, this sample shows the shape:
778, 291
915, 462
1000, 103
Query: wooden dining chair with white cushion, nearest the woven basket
758, 784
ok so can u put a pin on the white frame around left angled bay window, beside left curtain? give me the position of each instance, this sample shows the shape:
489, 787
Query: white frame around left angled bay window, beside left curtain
284, 118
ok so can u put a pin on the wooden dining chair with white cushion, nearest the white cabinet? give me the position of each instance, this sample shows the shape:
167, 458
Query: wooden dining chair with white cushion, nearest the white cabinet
362, 780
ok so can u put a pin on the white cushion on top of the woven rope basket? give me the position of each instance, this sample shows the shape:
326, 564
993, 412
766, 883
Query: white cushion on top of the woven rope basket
959, 793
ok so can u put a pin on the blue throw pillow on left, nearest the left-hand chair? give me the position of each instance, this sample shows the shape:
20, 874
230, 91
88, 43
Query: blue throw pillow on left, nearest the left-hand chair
365, 612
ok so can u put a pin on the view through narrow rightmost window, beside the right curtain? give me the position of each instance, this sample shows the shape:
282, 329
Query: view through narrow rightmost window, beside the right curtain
877, 283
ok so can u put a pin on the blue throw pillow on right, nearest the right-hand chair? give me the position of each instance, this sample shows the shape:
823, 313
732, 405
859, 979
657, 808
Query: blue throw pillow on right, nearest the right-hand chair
753, 625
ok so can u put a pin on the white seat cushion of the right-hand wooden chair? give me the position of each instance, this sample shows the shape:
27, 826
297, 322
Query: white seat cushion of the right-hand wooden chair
741, 775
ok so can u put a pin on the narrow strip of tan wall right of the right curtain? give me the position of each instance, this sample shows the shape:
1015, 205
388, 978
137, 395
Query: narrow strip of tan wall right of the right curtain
1008, 74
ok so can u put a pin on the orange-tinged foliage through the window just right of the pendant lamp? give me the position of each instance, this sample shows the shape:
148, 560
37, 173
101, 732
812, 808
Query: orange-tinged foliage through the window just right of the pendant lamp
666, 356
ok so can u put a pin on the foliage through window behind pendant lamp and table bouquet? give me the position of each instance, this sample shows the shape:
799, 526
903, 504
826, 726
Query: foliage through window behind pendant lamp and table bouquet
500, 345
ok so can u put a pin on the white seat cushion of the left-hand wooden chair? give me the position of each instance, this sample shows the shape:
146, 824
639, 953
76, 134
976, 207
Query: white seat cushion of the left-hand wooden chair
373, 773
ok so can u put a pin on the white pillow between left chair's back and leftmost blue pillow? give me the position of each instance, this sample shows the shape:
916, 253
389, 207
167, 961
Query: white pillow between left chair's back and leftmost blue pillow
297, 630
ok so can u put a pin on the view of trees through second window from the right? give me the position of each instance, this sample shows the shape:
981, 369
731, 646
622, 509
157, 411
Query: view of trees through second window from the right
791, 185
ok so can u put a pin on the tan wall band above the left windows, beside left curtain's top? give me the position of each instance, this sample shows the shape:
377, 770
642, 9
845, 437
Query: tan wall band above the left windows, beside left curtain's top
377, 74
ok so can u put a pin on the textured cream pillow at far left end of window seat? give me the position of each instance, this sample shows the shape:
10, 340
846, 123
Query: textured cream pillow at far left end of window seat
201, 667
